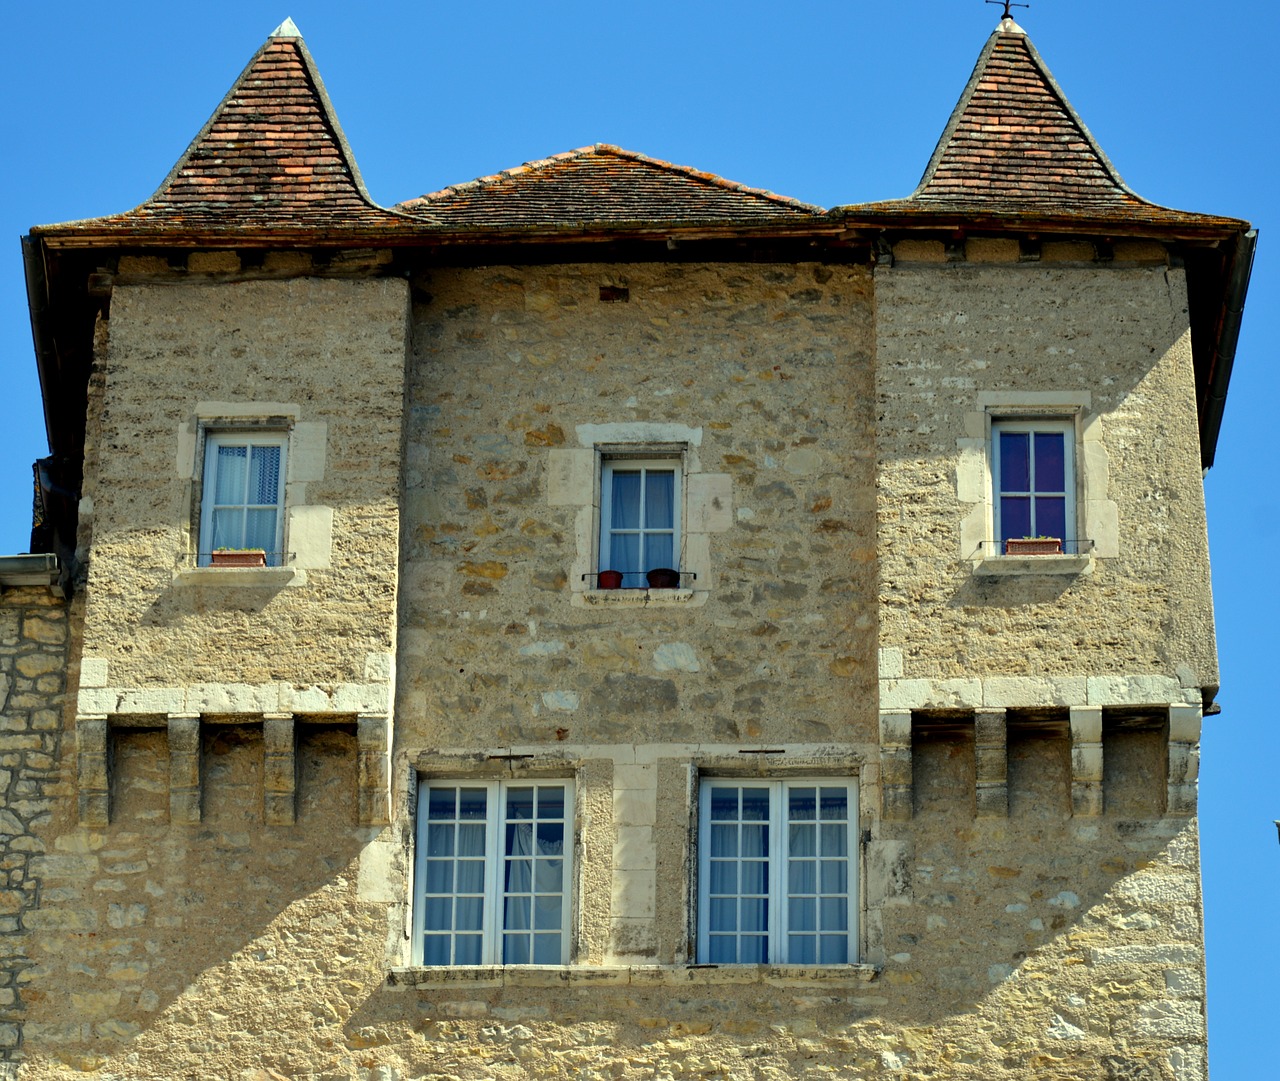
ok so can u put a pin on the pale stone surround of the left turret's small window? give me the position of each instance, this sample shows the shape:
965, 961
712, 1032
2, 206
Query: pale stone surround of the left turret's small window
308, 528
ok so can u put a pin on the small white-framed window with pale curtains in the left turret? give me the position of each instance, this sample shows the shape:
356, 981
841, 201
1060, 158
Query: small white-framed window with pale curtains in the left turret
243, 500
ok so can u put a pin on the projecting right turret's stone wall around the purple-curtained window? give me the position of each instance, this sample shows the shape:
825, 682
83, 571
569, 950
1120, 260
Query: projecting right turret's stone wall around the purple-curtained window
1107, 345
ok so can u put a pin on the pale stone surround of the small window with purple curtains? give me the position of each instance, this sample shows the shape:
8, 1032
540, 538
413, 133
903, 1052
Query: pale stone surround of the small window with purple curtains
1096, 515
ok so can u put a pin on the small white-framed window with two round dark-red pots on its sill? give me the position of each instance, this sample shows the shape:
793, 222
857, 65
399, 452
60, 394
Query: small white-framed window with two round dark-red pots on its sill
641, 503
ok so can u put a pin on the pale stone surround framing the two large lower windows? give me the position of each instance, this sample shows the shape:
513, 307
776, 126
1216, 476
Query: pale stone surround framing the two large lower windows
876, 863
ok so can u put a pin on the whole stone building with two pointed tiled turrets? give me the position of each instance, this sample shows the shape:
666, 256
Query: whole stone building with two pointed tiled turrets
888, 771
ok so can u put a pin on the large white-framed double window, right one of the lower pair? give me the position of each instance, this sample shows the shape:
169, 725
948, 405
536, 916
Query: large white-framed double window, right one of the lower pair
778, 872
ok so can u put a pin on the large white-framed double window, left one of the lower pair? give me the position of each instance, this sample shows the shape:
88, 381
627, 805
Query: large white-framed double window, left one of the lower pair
493, 872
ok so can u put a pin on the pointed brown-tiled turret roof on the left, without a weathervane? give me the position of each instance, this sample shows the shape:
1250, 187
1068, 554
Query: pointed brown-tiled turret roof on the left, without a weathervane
272, 155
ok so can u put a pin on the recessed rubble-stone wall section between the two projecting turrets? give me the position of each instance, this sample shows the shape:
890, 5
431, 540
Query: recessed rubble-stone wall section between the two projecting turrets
522, 378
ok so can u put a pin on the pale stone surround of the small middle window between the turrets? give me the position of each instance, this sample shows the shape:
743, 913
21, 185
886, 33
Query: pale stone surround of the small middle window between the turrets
574, 480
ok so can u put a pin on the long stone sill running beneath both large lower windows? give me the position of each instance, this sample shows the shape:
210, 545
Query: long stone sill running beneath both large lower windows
633, 975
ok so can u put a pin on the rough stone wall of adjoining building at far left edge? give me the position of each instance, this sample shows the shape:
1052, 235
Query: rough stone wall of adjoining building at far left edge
34, 778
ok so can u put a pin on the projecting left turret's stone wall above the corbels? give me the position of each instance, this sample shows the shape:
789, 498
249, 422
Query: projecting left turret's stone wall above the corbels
318, 360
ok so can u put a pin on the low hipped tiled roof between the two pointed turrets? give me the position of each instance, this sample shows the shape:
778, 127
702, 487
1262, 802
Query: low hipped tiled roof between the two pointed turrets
602, 185
